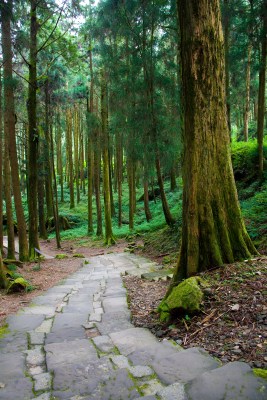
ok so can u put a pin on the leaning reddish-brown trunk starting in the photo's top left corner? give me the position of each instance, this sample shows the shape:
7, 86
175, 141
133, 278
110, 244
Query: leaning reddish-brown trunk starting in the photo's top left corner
9, 119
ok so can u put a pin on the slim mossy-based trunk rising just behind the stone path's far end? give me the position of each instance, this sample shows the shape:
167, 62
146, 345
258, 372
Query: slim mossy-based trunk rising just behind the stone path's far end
109, 238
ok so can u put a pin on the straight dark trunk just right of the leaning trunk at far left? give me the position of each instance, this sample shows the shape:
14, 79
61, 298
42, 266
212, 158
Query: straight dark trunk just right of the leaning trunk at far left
33, 136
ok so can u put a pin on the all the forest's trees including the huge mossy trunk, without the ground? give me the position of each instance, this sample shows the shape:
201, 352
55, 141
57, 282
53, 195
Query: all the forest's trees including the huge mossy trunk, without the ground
95, 97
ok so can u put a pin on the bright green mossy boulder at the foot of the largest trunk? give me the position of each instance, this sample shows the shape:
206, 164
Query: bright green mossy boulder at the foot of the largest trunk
186, 297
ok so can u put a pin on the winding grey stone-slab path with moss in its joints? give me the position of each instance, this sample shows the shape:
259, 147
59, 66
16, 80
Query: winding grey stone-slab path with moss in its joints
76, 342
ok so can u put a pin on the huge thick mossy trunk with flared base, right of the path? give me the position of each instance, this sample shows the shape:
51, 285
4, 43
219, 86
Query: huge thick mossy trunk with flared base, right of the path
213, 231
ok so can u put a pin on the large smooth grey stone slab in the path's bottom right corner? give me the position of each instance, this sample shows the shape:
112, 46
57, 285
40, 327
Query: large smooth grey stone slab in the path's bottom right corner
234, 380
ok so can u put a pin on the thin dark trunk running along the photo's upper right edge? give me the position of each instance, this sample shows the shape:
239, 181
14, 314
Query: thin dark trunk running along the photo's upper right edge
261, 94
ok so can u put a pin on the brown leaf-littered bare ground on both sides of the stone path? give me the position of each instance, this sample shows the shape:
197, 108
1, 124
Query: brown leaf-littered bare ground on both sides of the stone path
231, 326
